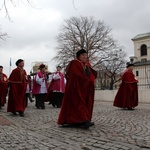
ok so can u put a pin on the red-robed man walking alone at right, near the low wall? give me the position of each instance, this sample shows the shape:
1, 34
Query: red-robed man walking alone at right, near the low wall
127, 95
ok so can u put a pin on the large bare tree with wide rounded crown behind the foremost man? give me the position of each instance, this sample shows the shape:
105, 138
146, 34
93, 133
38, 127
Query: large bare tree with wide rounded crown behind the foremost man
83, 32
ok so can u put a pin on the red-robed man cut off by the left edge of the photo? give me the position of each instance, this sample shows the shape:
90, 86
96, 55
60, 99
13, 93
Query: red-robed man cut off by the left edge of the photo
3, 87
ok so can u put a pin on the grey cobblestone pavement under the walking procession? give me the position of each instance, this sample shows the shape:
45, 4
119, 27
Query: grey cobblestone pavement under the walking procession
115, 129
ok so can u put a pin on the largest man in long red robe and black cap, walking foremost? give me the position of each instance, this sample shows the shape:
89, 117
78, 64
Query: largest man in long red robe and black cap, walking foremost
78, 101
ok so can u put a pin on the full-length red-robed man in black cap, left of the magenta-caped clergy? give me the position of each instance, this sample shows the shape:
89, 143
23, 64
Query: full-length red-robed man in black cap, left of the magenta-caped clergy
17, 91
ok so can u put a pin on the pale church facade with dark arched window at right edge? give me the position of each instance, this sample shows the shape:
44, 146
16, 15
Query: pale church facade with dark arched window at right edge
141, 59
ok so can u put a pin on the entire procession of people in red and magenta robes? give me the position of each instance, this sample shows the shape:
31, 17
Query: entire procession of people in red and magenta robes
72, 92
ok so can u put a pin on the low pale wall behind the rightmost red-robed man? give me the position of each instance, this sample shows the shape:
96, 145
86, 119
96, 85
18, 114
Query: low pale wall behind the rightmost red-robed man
109, 95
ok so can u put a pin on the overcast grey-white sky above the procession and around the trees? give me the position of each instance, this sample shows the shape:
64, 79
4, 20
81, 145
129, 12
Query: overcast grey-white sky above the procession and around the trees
32, 31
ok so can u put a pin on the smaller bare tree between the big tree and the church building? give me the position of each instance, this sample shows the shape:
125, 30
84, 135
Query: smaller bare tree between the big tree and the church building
111, 69
